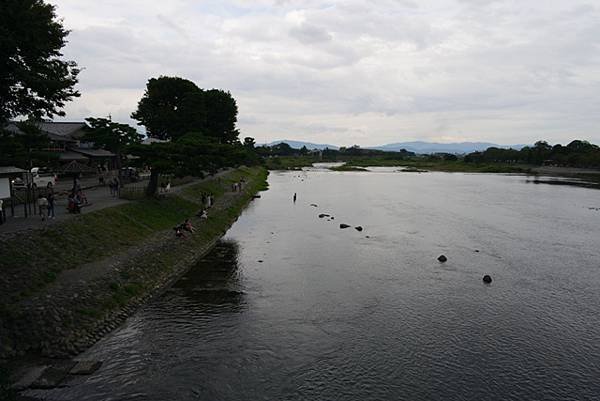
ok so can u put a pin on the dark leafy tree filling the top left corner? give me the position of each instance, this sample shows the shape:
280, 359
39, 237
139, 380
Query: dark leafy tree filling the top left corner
34, 80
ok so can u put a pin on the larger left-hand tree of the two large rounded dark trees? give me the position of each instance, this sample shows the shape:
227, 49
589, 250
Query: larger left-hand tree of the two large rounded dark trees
171, 107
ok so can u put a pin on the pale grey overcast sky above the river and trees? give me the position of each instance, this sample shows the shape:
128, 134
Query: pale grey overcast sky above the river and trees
353, 72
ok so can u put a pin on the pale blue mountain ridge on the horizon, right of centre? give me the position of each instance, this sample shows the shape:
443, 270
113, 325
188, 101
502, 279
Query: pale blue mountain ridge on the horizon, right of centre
432, 147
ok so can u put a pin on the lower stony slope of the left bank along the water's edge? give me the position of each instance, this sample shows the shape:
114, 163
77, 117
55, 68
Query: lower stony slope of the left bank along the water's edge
71, 314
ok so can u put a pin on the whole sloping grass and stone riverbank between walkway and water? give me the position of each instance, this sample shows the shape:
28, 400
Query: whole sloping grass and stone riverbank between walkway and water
64, 287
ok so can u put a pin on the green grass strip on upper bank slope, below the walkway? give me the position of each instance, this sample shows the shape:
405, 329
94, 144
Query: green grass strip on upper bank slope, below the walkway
39, 257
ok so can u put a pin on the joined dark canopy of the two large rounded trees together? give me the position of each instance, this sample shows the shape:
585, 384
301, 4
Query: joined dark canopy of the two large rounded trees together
172, 107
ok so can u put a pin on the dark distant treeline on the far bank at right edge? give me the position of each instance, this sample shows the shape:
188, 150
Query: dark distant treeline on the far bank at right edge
576, 154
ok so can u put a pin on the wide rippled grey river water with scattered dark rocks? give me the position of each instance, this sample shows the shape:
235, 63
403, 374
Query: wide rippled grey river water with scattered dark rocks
330, 314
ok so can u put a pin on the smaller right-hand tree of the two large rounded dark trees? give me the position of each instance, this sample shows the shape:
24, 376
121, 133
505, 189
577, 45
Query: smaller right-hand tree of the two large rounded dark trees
221, 116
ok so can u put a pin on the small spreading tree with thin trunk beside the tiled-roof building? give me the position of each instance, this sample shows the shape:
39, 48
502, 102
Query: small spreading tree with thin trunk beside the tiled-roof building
105, 133
